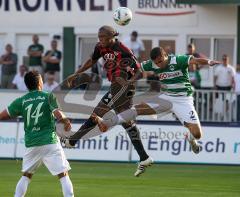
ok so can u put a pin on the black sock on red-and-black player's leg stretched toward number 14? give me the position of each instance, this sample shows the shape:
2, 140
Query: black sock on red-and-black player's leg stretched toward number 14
84, 129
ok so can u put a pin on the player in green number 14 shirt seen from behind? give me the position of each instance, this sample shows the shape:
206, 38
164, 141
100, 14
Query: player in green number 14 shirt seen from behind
38, 110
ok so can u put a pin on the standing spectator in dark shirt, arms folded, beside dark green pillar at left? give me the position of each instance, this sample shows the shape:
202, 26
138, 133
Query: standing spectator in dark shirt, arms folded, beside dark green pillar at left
52, 59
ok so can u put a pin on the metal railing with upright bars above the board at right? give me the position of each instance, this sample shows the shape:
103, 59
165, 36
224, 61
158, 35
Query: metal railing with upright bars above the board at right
216, 106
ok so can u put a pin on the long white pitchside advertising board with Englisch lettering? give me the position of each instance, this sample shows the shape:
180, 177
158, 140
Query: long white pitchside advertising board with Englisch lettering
165, 143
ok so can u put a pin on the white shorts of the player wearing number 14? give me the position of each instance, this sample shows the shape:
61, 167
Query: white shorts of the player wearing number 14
52, 155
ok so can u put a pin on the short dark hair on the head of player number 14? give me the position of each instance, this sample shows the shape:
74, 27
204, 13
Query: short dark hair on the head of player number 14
31, 80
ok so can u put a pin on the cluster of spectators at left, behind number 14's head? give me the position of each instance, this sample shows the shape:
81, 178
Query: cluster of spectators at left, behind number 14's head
47, 64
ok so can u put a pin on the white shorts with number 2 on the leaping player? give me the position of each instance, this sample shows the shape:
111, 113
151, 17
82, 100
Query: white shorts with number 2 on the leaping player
183, 108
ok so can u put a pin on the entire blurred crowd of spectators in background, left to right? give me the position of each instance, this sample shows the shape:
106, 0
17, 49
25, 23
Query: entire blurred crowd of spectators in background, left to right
226, 76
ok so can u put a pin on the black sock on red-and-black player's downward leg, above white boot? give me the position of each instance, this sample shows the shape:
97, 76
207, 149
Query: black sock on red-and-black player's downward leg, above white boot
135, 137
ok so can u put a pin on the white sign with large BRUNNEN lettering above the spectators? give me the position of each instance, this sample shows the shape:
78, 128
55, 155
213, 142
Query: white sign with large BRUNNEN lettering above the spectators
85, 13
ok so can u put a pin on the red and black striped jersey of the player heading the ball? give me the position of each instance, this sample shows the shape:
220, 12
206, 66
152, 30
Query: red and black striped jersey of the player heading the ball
118, 58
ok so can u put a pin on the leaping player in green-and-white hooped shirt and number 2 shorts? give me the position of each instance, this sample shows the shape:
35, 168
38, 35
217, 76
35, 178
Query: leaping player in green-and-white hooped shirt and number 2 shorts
176, 93
